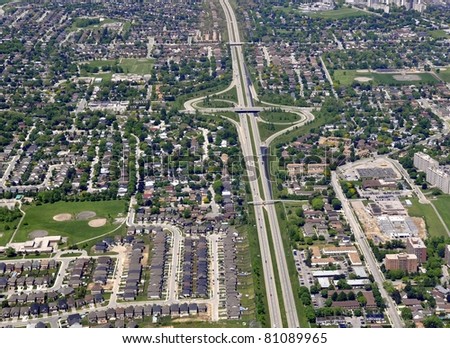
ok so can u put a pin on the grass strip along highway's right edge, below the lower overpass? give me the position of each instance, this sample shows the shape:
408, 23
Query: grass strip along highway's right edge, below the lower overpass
293, 274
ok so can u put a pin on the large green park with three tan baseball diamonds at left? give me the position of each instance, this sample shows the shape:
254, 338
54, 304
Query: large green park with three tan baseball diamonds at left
40, 217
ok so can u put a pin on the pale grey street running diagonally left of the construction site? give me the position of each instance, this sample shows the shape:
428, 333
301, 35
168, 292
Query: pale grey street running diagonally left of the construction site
370, 260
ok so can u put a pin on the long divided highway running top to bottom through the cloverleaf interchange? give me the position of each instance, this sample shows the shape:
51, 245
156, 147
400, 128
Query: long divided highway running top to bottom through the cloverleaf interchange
248, 127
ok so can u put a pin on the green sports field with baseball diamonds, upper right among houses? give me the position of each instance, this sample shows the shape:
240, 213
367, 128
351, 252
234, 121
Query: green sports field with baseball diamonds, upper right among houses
347, 77
